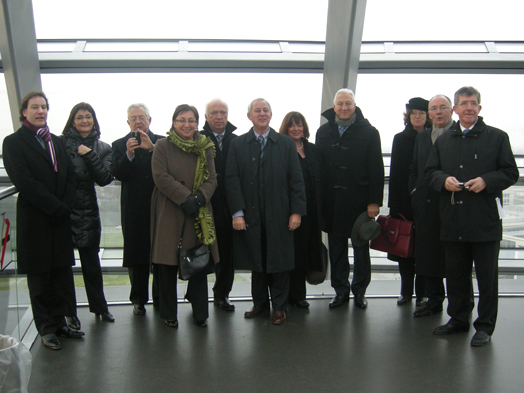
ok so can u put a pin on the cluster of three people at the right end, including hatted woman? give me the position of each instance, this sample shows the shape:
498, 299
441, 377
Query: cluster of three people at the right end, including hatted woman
448, 177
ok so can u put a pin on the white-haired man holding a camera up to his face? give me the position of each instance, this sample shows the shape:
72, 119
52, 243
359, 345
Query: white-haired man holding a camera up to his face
132, 166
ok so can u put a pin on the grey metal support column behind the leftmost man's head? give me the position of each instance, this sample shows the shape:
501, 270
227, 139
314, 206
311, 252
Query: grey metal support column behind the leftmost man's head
19, 52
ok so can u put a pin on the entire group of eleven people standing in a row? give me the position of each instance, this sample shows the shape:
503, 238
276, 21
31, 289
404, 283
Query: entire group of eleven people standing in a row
259, 201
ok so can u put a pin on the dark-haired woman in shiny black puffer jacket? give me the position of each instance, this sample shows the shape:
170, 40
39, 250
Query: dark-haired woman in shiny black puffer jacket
91, 159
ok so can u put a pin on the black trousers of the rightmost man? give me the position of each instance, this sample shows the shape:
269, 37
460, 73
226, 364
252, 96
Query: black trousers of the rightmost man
459, 264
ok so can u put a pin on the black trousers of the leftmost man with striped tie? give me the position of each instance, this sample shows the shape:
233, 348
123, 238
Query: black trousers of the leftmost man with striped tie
49, 297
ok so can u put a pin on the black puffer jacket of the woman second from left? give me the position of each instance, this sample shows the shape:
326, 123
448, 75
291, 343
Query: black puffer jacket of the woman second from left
93, 167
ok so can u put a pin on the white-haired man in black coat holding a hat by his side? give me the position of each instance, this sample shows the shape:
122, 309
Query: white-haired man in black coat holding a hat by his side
353, 183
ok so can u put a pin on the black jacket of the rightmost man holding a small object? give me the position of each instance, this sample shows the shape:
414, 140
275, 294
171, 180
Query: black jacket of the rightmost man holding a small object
483, 152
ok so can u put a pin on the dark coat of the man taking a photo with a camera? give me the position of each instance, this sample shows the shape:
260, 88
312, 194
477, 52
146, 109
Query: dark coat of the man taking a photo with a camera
135, 199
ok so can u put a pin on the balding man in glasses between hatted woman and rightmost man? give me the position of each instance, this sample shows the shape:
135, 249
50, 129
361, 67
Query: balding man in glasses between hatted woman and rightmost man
429, 249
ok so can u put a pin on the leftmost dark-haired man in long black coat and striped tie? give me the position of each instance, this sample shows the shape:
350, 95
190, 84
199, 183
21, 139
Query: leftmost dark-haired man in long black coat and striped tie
38, 166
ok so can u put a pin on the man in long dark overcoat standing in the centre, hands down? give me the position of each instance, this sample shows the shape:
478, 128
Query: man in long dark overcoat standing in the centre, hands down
266, 195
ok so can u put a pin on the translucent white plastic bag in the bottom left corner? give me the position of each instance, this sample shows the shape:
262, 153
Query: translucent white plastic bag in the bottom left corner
15, 366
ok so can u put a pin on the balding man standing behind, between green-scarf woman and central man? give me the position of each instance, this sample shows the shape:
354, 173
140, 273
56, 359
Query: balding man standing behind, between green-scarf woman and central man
220, 131
